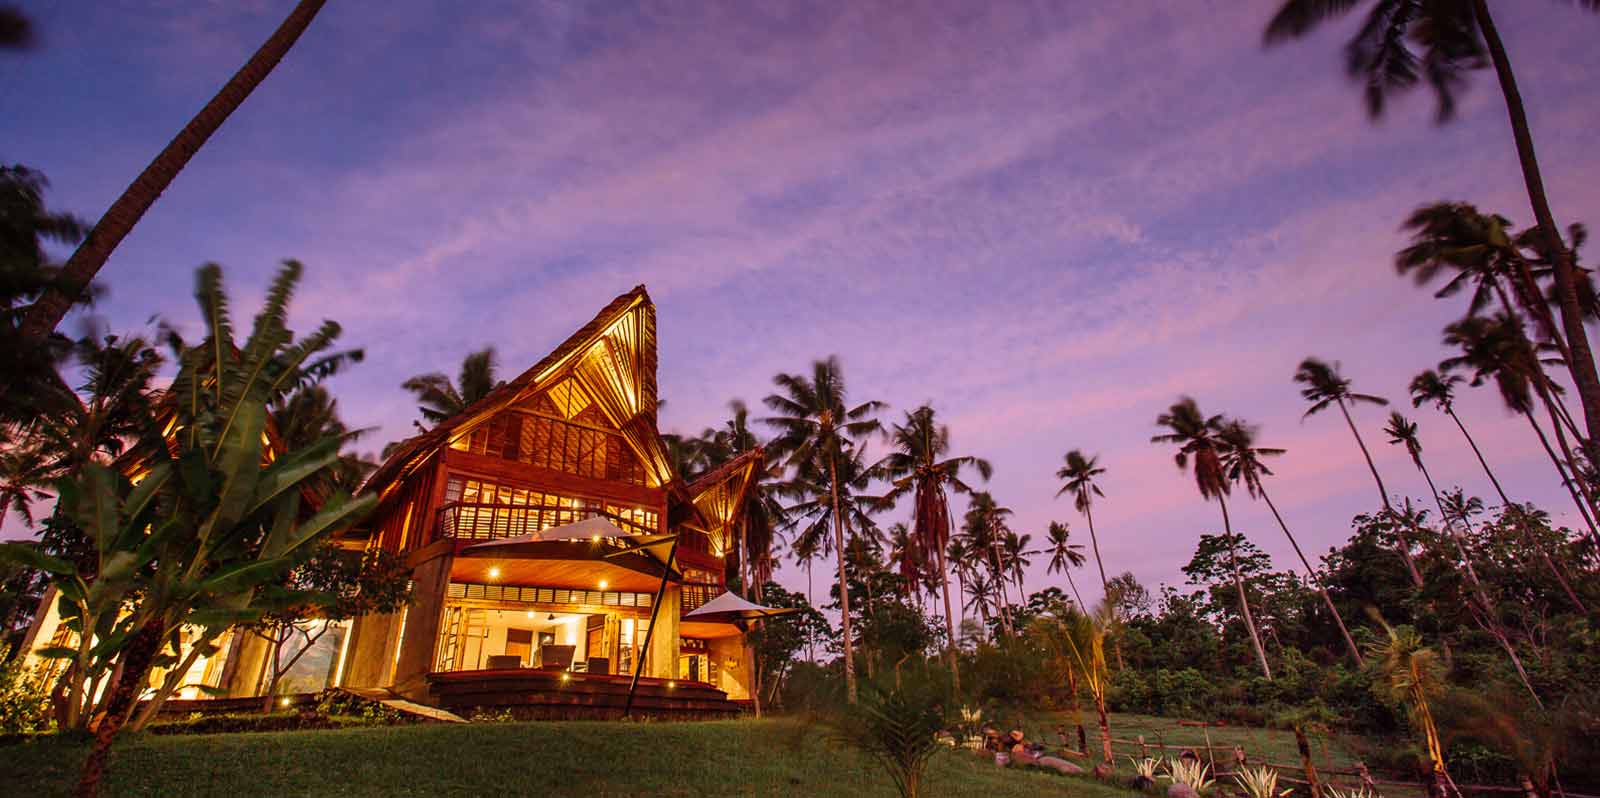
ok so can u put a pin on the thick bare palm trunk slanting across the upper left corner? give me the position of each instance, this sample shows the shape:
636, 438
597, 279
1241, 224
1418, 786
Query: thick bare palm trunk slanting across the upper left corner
111, 229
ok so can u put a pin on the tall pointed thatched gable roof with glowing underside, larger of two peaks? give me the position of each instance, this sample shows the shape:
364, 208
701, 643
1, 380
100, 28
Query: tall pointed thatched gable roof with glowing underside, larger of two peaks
614, 356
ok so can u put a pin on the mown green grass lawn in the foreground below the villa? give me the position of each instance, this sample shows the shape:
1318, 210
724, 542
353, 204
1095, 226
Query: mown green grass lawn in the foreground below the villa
545, 760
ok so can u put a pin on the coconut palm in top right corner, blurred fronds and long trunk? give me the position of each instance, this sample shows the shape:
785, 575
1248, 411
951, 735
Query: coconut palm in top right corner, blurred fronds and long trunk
1454, 39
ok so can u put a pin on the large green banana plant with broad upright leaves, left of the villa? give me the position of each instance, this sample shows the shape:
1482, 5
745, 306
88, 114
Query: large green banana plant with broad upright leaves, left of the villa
202, 517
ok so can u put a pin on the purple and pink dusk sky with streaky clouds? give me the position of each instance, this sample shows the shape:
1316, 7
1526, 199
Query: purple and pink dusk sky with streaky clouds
1050, 220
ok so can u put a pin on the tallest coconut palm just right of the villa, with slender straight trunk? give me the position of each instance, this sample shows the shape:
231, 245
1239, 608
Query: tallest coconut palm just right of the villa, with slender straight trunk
815, 426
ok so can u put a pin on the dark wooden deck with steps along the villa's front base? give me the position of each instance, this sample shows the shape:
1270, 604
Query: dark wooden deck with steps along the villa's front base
546, 695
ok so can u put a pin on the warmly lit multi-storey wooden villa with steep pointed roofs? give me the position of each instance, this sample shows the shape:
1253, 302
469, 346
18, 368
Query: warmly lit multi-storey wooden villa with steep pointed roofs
554, 554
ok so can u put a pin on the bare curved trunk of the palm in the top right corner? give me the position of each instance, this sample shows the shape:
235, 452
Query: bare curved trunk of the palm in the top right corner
1582, 364
